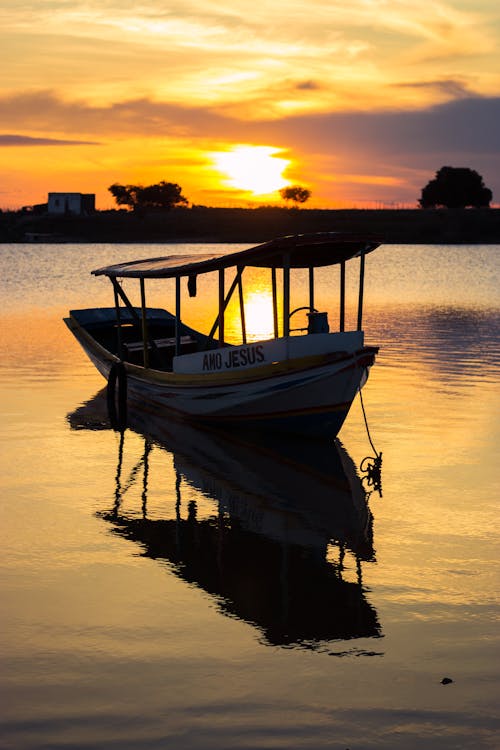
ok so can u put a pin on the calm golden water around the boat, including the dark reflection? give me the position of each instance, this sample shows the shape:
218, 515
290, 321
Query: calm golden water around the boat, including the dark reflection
174, 591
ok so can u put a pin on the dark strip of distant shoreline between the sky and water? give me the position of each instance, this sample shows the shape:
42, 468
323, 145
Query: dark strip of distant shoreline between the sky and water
254, 225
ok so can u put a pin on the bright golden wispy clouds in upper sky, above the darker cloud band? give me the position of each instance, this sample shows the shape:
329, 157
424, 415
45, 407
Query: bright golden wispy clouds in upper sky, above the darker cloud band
220, 54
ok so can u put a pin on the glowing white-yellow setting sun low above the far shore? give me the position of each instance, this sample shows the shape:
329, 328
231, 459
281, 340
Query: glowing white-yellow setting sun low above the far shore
255, 169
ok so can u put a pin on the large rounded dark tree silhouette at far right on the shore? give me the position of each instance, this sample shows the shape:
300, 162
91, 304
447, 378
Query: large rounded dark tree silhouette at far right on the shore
456, 187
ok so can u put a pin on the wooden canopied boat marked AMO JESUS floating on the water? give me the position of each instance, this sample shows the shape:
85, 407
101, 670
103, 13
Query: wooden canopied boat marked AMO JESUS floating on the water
299, 381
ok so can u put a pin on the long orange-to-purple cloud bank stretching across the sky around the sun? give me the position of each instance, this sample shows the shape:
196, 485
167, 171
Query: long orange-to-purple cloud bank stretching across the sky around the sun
388, 155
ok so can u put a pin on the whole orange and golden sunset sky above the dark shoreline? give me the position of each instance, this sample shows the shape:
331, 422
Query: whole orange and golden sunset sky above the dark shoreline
360, 102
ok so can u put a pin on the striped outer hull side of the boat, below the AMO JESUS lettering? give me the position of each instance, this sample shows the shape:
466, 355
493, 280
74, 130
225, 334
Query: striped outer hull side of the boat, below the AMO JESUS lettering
308, 396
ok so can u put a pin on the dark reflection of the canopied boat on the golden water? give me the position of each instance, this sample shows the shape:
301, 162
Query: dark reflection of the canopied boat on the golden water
284, 538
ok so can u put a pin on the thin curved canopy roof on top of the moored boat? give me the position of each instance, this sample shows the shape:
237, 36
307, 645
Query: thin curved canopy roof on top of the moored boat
297, 251
